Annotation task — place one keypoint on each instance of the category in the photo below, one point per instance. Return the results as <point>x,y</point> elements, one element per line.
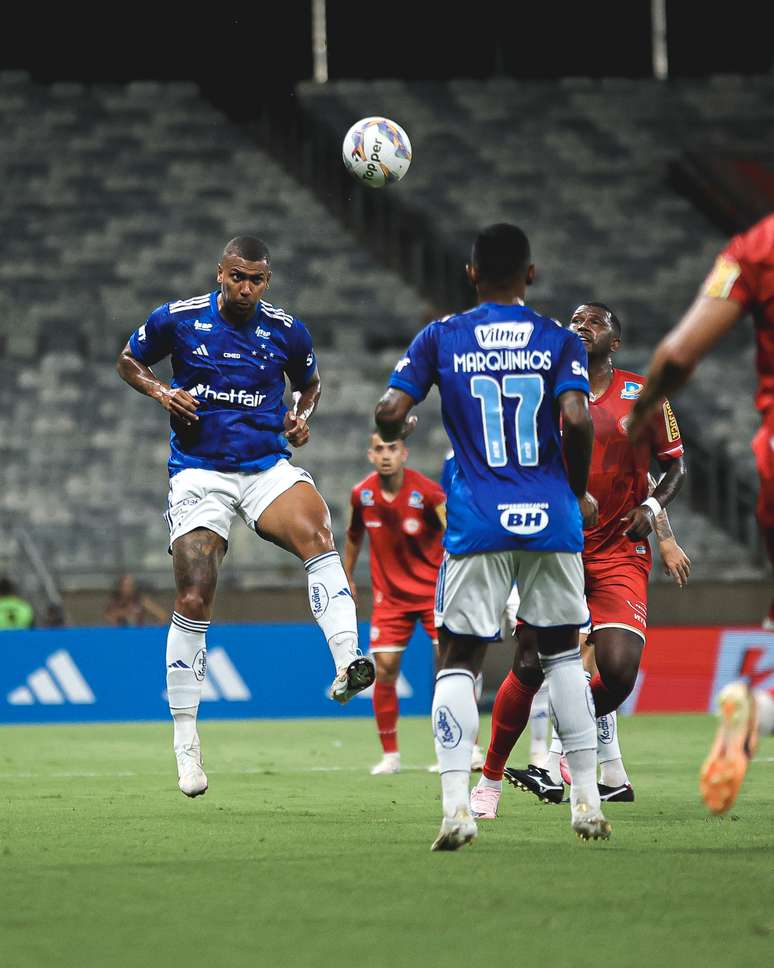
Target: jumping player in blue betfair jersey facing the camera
<point>229,455</point>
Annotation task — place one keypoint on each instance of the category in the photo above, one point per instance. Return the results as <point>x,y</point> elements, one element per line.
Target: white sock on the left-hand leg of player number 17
<point>455,727</point>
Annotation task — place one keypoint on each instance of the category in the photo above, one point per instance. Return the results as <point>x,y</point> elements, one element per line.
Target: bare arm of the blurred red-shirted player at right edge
<point>678,353</point>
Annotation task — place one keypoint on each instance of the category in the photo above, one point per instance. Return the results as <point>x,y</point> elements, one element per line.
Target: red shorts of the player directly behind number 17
<point>617,593</point>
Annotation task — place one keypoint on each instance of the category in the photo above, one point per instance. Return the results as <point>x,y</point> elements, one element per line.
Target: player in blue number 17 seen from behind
<point>517,504</point>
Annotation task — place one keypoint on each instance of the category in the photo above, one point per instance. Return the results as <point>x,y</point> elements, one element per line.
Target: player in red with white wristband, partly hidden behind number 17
<point>616,564</point>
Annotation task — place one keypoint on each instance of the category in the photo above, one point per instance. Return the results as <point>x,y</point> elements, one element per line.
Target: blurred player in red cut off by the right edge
<point>741,281</point>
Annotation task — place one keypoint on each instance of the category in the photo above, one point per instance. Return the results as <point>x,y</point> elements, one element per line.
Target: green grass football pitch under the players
<point>296,856</point>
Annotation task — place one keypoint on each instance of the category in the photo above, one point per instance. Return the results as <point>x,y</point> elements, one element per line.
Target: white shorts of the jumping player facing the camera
<point>211,499</point>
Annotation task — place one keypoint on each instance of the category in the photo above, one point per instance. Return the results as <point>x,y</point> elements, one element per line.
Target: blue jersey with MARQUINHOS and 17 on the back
<point>499,370</point>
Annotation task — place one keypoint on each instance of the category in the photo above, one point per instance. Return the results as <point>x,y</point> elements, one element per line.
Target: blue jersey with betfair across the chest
<point>237,373</point>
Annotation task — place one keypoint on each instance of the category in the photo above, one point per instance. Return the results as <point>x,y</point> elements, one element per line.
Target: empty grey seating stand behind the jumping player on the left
<point>118,199</point>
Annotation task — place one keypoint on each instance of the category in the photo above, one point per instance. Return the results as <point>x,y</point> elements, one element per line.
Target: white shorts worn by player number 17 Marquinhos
<point>472,591</point>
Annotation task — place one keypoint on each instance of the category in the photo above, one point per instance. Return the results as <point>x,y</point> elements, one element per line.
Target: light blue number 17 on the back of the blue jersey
<point>528,388</point>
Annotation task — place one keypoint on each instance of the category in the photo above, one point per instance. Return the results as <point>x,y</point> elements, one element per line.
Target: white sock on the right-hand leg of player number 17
<point>574,721</point>
